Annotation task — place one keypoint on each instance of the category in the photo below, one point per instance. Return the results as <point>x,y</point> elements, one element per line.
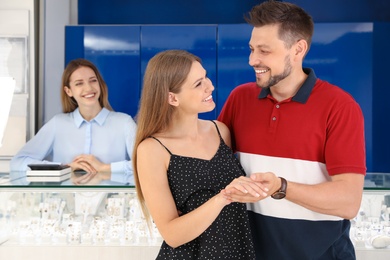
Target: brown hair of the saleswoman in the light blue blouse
<point>69,104</point>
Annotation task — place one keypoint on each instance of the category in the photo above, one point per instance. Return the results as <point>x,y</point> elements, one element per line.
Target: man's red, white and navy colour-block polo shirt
<point>306,139</point>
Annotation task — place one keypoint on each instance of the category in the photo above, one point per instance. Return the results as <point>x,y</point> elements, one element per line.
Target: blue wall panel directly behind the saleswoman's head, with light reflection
<point>115,50</point>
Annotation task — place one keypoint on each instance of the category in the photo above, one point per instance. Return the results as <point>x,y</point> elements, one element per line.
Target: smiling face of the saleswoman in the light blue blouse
<point>84,87</point>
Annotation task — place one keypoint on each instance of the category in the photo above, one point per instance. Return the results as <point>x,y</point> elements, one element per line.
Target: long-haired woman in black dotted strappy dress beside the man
<point>182,165</point>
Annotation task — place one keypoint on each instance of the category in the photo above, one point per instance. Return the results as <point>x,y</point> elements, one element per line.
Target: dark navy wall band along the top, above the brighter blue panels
<point>220,11</point>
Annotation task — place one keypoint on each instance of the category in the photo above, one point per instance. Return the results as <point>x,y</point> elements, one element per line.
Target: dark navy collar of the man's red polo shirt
<point>304,91</point>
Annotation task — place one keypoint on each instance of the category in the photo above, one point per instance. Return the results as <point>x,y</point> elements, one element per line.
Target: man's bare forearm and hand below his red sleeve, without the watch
<point>341,196</point>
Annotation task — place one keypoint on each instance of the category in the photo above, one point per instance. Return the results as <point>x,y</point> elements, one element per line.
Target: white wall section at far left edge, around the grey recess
<point>17,19</point>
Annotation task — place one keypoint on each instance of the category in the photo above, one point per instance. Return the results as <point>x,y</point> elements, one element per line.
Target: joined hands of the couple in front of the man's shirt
<point>254,188</point>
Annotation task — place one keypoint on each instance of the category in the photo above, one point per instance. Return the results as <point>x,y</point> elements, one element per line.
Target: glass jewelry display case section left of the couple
<point>60,220</point>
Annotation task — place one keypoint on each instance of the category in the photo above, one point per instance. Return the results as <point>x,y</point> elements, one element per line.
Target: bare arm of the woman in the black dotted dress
<point>176,230</point>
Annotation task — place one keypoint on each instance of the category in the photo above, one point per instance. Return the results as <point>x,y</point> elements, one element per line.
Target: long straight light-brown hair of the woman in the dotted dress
<point>165,72</point>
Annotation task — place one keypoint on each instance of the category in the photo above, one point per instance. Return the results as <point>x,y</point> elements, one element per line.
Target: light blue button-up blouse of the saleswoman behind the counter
<point>109,137</point>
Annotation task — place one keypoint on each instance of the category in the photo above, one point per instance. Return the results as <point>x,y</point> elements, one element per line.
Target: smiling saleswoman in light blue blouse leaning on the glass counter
<point>88,135</point>
